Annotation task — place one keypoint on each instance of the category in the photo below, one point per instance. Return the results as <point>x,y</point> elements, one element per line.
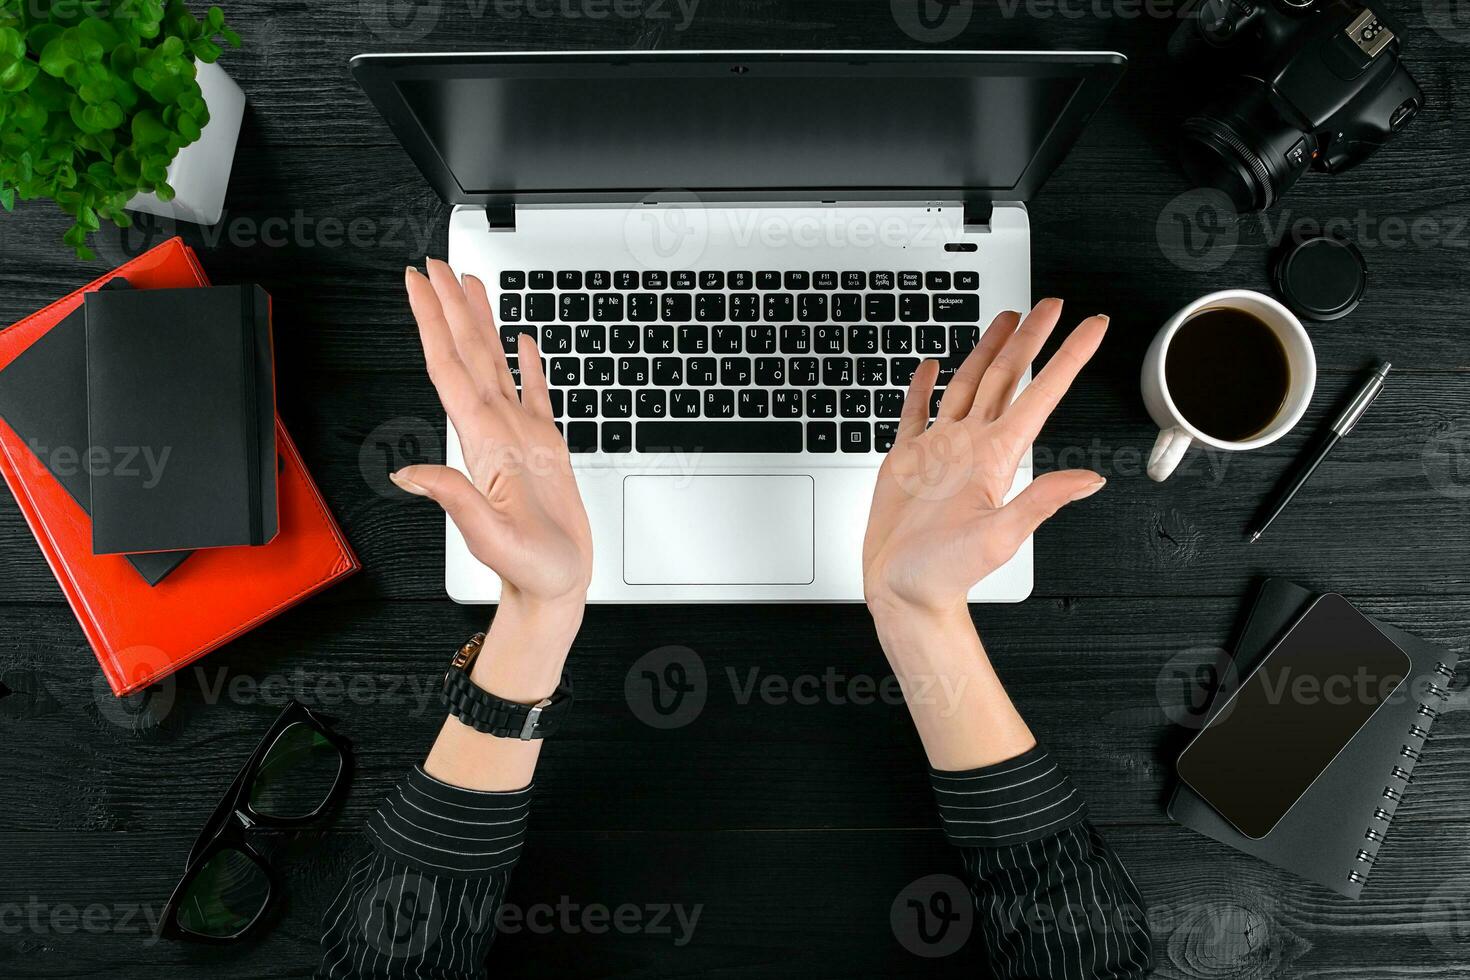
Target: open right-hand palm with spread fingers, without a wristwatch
<point>940,524</point>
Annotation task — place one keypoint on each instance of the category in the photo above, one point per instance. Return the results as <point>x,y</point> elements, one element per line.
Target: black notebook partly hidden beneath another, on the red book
<point>43,397</point>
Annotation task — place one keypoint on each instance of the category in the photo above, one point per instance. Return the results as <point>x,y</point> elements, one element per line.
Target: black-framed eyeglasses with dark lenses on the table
<point>298,772</point>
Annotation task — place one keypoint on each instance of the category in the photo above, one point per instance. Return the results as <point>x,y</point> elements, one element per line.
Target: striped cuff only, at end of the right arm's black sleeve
<point>1021,800</point>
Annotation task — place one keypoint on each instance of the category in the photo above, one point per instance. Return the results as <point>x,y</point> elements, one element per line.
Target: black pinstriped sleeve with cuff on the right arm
<point>1052,898</point>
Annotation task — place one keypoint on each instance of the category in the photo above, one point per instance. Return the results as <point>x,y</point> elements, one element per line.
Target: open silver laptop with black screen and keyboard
<point>734,262</point>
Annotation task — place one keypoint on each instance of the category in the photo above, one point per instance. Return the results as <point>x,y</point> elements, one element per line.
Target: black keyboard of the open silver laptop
<point>737,362</point>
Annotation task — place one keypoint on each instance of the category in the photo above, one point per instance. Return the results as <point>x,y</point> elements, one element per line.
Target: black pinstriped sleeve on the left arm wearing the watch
<point>424,901</point>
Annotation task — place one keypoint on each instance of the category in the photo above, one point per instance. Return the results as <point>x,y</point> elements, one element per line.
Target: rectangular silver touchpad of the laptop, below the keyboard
<point>720,530</point>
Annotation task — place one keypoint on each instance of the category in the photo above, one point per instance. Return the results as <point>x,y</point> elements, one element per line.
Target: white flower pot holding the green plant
<point>201,173</point>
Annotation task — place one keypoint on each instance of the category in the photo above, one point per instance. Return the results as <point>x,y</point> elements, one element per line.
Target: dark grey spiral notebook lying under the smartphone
<point>1335,831</point>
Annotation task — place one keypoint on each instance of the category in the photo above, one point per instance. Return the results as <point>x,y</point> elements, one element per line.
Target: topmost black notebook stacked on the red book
<point>183,380</point>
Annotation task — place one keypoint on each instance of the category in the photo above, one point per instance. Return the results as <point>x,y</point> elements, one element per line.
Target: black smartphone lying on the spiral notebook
<point>1272,738</point>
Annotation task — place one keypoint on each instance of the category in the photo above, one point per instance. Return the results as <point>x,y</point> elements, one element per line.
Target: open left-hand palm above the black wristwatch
<point>520,509</point>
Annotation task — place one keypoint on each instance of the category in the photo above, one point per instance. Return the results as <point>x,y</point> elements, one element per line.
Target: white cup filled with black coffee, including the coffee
<point>1234,371</point>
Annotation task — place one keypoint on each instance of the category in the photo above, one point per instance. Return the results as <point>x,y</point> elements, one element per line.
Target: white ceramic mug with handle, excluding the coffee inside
<point>1177,434</point>
